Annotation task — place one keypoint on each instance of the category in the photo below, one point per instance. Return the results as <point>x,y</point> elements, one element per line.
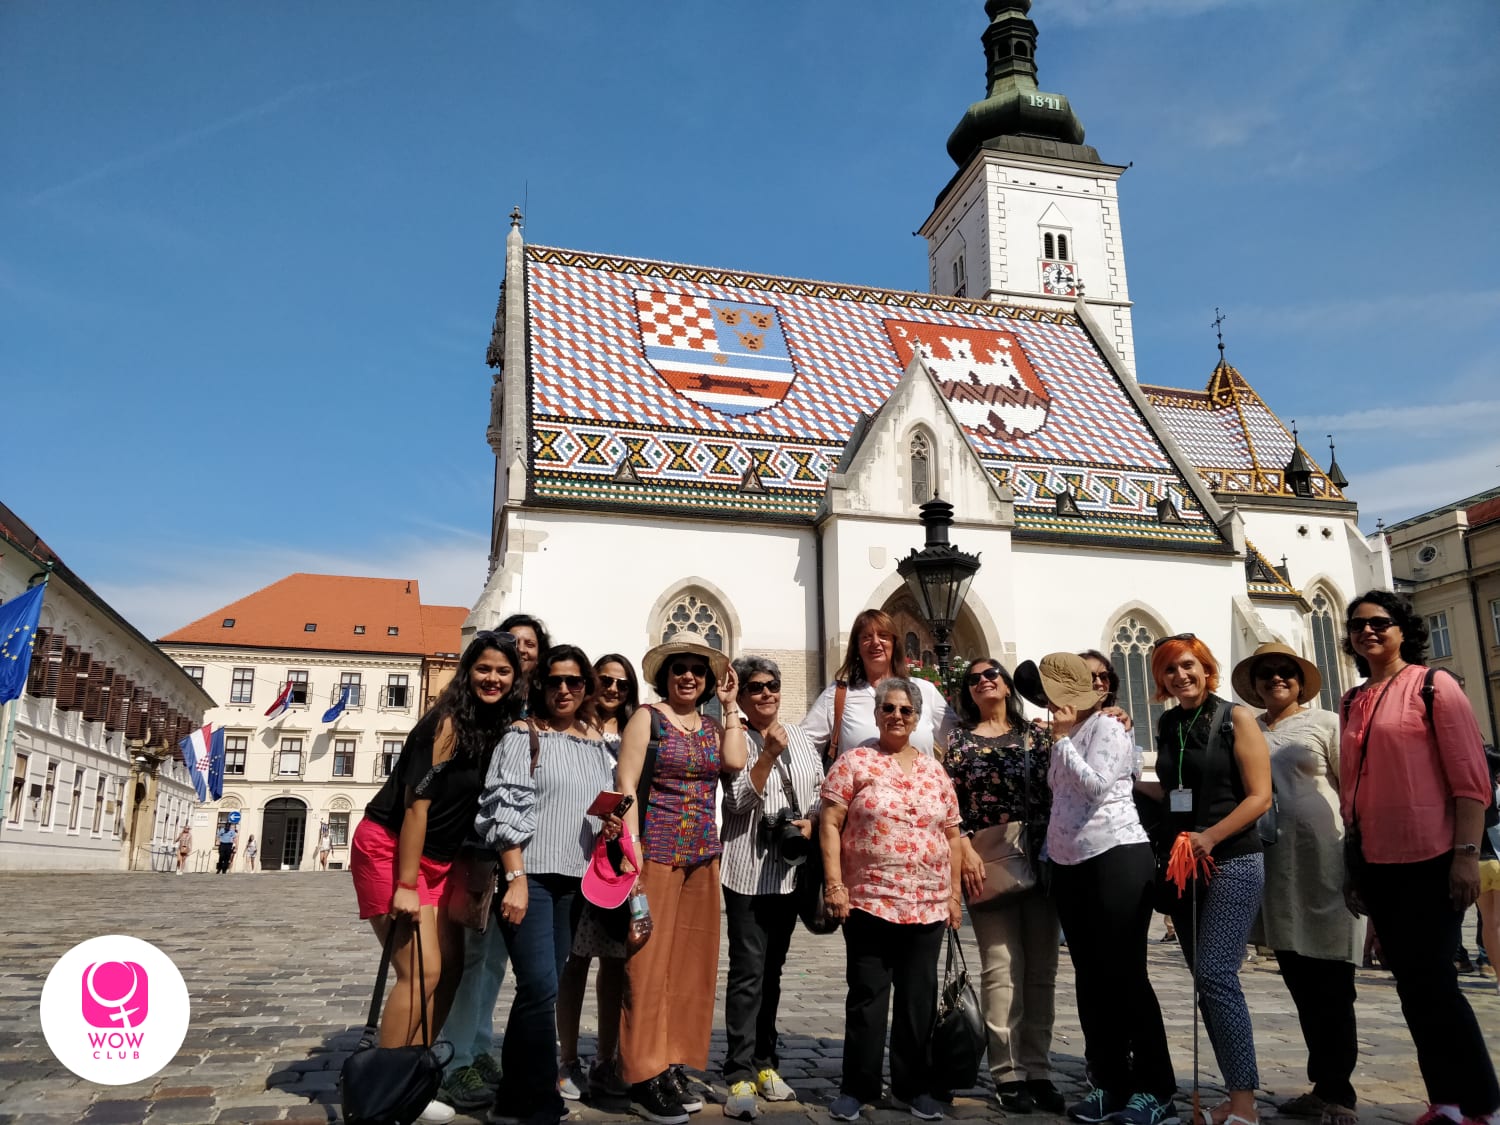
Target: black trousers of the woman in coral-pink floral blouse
<point>881,956</point>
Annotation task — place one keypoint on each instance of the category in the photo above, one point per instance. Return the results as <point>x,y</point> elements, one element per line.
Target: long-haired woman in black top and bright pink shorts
<point>403,851</point>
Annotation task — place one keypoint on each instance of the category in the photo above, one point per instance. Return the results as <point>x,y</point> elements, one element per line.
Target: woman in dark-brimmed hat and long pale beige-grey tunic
<point>1303,910</point>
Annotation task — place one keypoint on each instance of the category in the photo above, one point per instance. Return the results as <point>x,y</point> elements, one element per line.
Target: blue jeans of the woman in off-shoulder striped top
<point>538,950</point>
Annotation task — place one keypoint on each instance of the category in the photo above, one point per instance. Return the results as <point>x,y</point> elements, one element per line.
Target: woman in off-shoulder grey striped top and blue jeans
<point>547,773</point>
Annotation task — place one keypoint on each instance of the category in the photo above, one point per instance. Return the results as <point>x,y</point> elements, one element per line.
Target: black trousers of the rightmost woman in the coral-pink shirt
<point>1418,929</point>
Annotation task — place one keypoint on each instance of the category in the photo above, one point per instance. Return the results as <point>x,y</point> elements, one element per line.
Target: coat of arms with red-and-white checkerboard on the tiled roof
<point>728,356</point>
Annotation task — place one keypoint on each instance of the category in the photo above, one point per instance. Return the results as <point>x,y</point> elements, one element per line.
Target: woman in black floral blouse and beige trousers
<point>998,764</point>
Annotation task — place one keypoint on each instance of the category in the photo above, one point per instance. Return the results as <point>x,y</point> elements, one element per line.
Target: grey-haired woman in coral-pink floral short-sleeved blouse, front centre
<point>890,820</point>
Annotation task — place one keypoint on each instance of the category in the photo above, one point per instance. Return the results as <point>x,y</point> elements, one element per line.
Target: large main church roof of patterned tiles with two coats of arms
<point>673,386</point>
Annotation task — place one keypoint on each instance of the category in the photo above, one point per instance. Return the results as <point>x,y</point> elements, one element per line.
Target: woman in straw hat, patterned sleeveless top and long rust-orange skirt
<point>668,1015</point>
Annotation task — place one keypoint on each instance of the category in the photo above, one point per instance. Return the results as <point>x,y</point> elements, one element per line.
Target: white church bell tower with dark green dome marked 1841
<point>1033,214</point>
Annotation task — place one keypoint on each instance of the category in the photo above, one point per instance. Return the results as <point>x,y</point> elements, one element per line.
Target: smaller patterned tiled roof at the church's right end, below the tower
<point>1235,442</point>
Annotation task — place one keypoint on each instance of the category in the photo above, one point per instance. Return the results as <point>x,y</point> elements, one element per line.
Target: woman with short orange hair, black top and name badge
<point>1216,779</point>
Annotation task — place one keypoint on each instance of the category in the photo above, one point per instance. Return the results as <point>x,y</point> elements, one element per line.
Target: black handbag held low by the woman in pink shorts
<point>392,1085</point>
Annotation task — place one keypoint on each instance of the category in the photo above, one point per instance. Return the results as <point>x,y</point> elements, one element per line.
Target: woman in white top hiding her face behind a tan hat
<point>1103,881</point>
